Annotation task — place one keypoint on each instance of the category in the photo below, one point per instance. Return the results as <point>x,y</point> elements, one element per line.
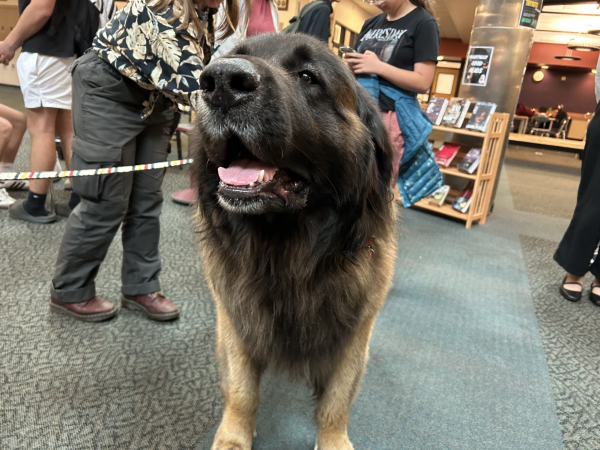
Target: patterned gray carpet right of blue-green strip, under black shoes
<point>570,335</point>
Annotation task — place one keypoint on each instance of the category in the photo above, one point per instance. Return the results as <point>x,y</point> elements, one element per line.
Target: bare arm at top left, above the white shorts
<point>34,17</point>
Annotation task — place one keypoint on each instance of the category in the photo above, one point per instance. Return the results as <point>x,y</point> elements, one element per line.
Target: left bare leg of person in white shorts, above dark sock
<point>42,126</point>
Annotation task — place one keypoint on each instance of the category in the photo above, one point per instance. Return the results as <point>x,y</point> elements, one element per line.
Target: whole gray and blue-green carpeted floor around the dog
<point>473,350</point>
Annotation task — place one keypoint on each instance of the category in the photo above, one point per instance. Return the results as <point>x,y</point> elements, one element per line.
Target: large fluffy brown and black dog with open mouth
<point>297,223</point>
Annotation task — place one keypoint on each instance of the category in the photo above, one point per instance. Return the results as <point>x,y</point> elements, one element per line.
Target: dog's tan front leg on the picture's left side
<point>240,378</point>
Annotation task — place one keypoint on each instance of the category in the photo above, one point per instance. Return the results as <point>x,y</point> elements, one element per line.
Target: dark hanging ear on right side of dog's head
<point>370,114</point>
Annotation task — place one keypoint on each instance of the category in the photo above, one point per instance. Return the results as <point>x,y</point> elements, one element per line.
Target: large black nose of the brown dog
<point>228,83</point>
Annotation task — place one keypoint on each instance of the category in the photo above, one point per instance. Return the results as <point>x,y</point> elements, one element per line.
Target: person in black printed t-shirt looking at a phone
<point>401,47</point>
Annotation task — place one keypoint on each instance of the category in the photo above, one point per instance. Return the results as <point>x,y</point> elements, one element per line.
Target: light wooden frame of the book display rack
<point>483,178</point>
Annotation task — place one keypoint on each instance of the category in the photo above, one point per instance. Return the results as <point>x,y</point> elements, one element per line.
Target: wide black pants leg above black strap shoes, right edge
<point>581,238</point>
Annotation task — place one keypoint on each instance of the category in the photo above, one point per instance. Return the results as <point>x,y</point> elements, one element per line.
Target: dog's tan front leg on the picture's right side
<point>339,391</point>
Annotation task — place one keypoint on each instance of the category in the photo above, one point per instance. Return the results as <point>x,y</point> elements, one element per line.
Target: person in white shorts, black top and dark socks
<point>46,52</point>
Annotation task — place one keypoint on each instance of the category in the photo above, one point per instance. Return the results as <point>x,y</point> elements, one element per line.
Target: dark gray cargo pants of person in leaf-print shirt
<point>110,132</point>
